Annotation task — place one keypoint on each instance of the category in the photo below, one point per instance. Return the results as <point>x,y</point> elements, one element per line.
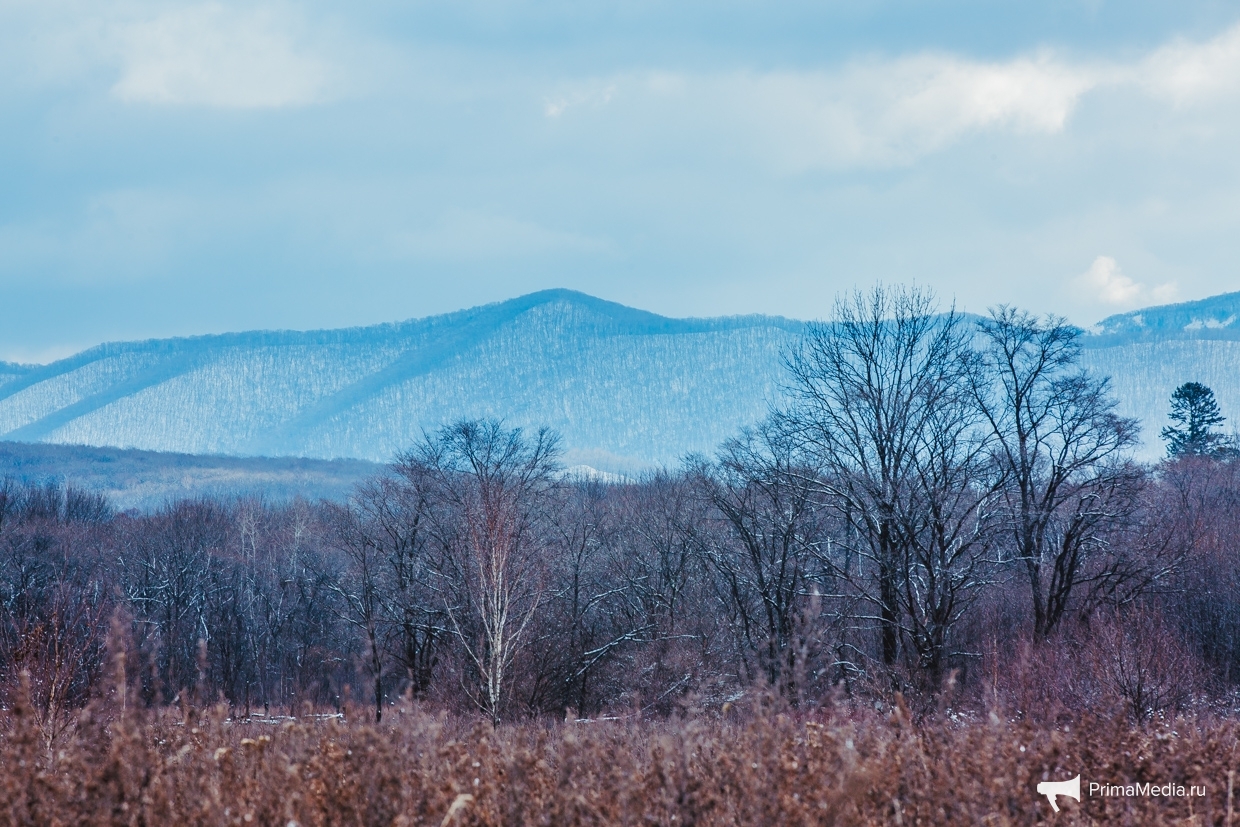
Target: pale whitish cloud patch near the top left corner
<point>214,56</point>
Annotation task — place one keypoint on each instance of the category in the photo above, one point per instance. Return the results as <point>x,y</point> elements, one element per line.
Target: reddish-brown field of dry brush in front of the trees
<point>123,764</point>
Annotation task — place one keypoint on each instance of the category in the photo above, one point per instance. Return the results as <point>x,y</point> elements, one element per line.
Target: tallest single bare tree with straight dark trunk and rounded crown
<point>866,391</point>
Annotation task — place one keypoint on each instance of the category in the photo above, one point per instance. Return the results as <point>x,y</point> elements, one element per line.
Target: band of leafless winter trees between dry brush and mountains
<point>936,498</point>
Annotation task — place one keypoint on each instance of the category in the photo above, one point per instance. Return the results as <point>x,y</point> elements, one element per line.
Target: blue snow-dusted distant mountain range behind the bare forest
<point>626,389</point>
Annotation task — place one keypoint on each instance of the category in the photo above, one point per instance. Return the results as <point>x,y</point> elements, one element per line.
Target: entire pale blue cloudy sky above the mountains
<point>174,169</point>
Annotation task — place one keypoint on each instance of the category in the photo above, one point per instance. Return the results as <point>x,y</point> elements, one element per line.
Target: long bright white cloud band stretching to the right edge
<point>892,112</point>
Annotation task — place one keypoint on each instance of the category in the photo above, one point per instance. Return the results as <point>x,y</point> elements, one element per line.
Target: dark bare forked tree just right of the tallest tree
<point>1062,449</point>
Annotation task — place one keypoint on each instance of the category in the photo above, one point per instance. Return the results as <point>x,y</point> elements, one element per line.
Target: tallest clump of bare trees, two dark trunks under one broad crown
<point>882,400</point>
